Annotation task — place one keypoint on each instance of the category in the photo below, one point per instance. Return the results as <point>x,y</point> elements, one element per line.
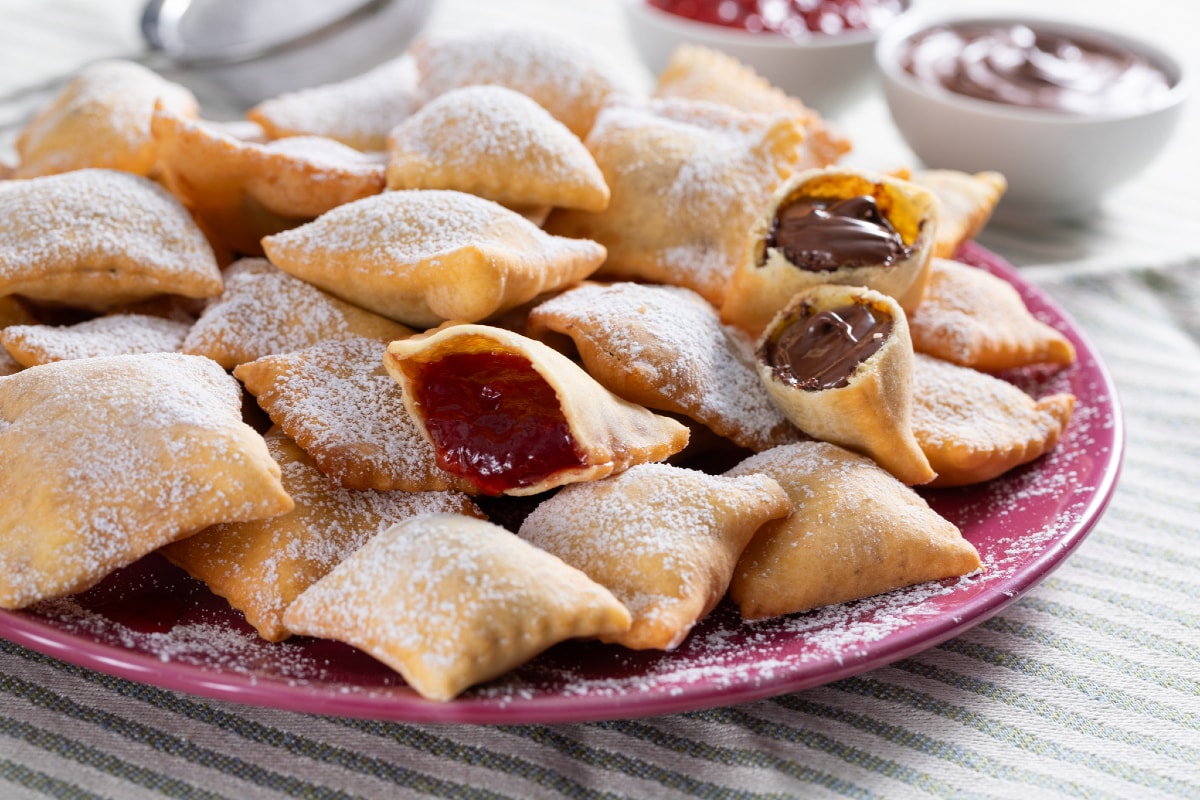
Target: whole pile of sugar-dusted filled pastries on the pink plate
<point>302,353</point>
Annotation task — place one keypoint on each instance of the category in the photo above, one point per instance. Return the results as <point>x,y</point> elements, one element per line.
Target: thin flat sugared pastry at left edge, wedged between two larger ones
<point>111,335</point>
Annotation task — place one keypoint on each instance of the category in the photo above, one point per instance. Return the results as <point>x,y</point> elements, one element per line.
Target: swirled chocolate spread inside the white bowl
<point>1036,68</point>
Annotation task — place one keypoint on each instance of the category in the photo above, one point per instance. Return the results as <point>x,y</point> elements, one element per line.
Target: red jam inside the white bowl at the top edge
<point>795,19</point>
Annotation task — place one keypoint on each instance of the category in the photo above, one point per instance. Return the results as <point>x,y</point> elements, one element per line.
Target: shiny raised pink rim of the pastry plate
<point>401,703</point>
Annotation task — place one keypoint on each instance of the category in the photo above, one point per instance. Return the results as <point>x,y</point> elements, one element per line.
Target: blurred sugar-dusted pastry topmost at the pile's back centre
<point>563,76</point>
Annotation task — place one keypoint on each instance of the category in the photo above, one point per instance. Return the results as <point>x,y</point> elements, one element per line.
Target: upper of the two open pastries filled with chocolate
<point>833,226</point>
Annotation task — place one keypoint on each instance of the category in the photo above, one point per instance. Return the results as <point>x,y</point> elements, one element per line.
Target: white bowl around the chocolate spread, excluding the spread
<point>1058,166</point>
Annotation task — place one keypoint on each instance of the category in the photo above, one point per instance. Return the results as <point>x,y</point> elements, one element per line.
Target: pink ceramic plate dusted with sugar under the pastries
<point>153,624</point>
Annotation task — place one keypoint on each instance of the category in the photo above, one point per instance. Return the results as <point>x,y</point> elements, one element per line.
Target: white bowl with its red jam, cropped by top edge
<point>819,51</point>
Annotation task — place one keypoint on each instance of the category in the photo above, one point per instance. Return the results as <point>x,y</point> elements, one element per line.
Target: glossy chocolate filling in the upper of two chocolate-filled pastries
<point>825,234</point>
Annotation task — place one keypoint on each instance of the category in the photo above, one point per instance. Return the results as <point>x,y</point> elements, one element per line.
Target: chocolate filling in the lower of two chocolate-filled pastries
<point>823,350</point>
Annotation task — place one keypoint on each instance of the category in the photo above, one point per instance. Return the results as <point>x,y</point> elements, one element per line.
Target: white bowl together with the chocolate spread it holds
<point>1066,112</point>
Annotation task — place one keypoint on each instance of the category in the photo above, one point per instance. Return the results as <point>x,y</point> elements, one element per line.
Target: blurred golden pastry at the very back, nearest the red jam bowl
<point>699,73</point>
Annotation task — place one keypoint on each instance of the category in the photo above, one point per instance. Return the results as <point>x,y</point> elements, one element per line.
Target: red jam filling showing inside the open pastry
<point>495,422</point>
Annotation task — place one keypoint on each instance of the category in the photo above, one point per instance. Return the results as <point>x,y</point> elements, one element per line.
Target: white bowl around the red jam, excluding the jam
<point>829,74</point>
